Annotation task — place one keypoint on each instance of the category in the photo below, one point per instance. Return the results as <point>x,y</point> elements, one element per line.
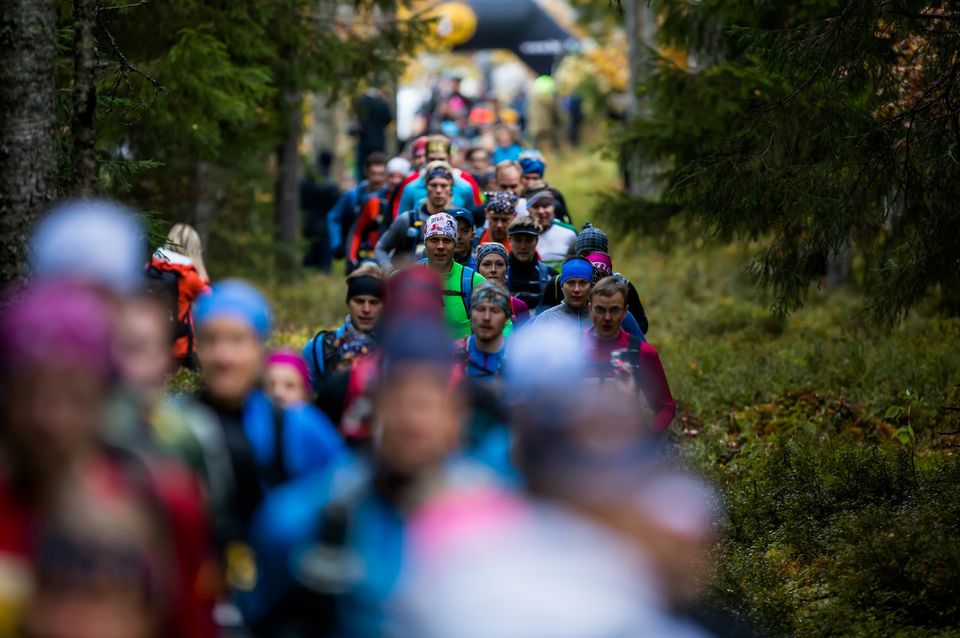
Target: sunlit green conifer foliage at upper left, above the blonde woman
<point>194,98</point>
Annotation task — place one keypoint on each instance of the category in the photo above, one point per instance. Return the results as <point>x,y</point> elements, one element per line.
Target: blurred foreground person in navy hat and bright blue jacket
<point>330,547</point>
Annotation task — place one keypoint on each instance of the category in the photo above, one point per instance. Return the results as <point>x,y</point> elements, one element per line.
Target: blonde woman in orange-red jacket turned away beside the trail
<point>177,274</point>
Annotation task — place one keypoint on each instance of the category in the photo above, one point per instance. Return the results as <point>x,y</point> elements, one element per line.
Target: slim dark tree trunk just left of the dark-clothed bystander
<point>287,199</point>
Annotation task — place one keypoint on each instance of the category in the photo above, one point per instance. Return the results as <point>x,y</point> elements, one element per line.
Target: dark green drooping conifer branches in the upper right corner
<point>813,125</point>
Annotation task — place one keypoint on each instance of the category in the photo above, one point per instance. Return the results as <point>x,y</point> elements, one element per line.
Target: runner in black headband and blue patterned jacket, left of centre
<point>331,350</point>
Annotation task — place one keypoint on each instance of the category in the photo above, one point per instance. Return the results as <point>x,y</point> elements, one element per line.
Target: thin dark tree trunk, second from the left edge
<point>82,129</point>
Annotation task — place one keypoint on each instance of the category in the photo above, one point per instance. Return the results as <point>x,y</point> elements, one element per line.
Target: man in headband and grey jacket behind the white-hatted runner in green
<point>402,243</point>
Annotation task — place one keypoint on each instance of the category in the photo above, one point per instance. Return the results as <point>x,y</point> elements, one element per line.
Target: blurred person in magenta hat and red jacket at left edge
<point>56,379</point>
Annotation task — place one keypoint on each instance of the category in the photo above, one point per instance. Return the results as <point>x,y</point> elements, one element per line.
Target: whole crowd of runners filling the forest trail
<point>478,449</point>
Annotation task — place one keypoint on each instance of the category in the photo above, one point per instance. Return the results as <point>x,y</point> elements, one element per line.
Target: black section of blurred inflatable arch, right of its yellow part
<point>522,27</point>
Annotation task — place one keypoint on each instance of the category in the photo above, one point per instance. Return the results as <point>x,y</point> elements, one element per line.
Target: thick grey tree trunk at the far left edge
<point>28,146</point>
